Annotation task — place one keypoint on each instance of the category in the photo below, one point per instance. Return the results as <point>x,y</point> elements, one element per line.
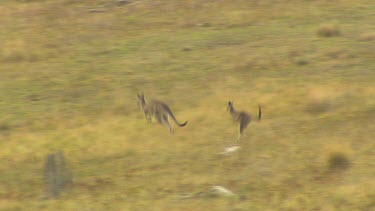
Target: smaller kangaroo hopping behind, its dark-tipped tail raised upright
<point>241,117</point>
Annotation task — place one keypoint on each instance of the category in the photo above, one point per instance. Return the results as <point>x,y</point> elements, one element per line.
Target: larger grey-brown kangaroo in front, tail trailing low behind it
<point>159,110</point>
